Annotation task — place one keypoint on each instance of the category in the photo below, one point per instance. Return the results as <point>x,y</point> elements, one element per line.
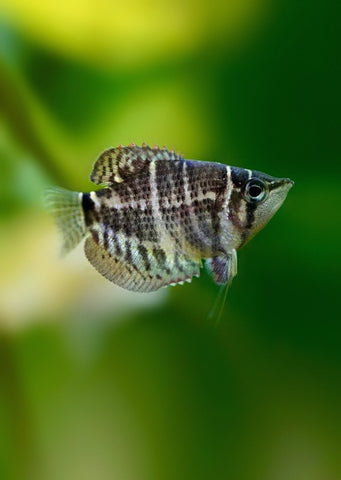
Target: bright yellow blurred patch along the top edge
<point>126,33</point>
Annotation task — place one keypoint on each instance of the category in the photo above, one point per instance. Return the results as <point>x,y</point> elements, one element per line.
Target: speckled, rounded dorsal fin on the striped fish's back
<point>116,164</point>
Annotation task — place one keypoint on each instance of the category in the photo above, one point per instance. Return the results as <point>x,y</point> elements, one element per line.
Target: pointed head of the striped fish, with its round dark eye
<point>258,196</point>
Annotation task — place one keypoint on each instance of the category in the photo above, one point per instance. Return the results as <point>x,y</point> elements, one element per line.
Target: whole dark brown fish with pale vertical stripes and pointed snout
<point>157,216</point>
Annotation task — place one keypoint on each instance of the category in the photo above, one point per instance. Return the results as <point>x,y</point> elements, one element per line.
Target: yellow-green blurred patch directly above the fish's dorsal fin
<point>152,113</point>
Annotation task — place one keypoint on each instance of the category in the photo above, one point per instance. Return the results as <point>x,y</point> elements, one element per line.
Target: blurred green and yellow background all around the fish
<point>99,383</point>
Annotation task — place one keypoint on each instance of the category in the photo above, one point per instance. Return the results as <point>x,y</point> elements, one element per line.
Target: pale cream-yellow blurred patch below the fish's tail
<point>38,285</point>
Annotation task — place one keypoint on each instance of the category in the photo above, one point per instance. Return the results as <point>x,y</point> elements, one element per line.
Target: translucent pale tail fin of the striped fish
<point>66,207</point>
